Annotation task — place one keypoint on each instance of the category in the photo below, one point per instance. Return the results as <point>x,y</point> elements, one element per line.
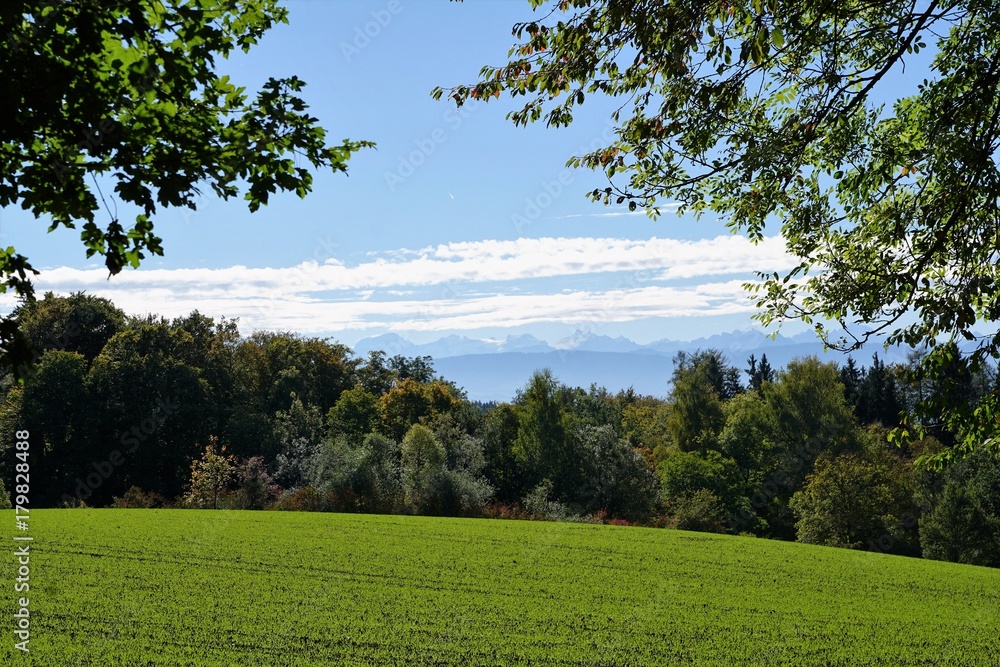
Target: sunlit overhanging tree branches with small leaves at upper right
<point>768,113</point>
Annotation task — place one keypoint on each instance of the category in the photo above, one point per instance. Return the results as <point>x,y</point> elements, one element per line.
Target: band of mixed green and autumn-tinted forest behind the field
<point>143,411</point>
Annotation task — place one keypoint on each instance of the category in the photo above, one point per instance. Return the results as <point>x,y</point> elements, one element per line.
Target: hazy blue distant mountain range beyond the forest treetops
<point>493,370</point>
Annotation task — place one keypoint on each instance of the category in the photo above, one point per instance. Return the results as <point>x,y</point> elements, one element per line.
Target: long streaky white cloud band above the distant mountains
<point>454,286</point>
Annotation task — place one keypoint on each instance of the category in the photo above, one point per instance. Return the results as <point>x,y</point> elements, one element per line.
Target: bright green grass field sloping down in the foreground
<point>200,588</point>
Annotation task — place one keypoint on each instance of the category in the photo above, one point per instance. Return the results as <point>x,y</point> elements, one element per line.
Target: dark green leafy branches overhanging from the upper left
<point>124,98</point>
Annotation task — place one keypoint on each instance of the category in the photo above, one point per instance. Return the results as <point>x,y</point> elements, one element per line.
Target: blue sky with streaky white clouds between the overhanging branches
<point>458,222</point>
